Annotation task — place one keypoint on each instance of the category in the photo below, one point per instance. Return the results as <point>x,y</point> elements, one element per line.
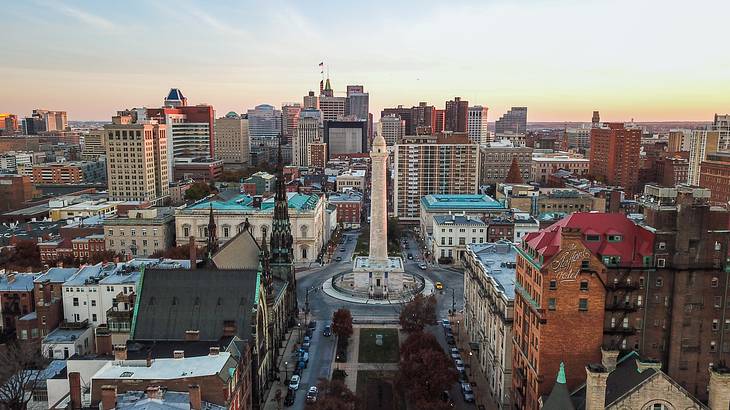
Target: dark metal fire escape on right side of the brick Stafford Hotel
<point>620,304</point>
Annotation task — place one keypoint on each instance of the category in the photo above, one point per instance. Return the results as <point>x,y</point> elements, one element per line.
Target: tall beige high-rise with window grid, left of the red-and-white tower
<point>137,161</point>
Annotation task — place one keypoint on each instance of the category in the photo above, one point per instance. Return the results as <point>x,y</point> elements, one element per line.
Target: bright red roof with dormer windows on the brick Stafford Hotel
<point>636,242</point>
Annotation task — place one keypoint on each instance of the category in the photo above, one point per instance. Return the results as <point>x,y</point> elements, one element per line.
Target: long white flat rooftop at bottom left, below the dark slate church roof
<point>165,369</point>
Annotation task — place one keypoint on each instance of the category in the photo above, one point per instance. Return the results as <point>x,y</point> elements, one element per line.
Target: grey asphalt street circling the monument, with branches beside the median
<point>321,306</point>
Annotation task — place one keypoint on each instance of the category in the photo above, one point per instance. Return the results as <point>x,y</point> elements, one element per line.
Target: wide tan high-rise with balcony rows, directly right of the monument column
<point>443,164</point>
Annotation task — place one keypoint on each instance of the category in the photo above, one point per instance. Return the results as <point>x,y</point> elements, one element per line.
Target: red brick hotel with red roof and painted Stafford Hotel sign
<point>571,282</point>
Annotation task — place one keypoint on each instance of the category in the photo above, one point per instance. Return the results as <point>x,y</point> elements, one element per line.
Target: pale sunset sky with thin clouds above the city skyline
<point>650,60</point>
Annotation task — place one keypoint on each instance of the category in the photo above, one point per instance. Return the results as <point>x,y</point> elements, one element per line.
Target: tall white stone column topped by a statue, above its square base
<point>378,203</point>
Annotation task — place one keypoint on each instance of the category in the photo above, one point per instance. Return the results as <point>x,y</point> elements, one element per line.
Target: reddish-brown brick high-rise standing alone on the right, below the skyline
<point>615,155</point>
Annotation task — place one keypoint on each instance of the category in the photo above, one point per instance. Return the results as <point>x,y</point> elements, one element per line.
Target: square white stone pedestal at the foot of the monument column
<point>380,279</point>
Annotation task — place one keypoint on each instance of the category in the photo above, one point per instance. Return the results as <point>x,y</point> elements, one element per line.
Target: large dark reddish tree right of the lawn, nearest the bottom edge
<point>425,371</point>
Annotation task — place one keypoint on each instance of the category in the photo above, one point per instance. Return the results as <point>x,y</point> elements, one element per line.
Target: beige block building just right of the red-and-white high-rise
<point>232,140</point>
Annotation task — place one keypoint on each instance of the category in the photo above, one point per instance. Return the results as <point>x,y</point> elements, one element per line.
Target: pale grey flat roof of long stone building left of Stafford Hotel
<point>497,261</point>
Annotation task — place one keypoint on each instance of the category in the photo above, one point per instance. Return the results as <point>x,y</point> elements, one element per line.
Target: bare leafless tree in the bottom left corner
<point>21,369</point>
